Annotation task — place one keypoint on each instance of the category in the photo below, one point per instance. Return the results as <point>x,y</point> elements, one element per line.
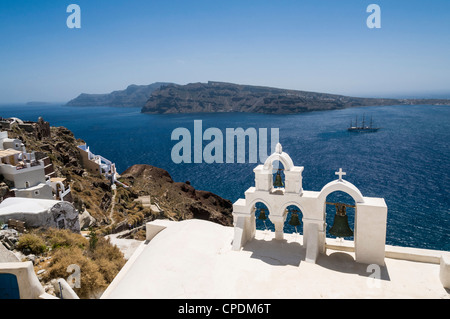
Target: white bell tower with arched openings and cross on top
<point>370,220</point>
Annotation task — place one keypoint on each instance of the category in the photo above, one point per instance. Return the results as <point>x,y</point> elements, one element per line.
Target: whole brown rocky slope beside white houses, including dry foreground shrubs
<point>111,210</point>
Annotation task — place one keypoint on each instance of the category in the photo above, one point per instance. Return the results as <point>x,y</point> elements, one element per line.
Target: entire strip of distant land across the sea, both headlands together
<point>161,98</point>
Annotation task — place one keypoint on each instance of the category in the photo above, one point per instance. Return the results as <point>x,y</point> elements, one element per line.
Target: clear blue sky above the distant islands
<point>313,45</point>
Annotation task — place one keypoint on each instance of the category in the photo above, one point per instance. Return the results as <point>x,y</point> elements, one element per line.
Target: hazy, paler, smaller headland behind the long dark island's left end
<point>132,96</point>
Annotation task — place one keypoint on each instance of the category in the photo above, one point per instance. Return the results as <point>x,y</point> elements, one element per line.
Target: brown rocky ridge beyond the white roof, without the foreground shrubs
<point>116,210</point>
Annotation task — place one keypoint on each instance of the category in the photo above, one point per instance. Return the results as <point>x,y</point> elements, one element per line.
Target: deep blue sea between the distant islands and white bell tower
<point>407,162</point>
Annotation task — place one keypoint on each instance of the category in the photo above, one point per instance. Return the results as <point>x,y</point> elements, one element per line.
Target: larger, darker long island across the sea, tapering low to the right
<point>228,97</point>
